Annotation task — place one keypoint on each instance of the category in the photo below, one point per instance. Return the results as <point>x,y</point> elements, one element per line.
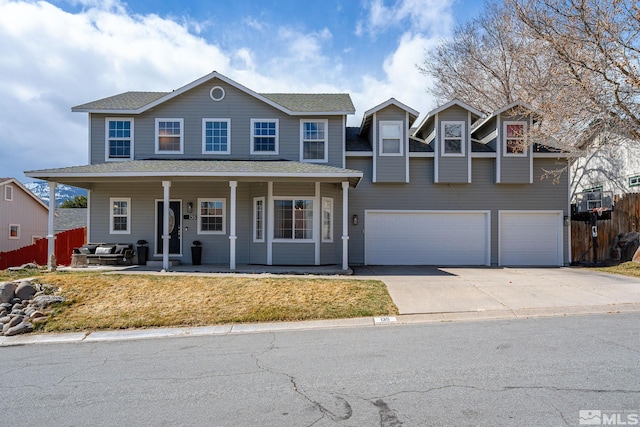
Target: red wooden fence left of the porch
<point>37,253</point>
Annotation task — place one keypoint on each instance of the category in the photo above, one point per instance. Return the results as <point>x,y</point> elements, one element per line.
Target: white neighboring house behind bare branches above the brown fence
<point>609,166</point>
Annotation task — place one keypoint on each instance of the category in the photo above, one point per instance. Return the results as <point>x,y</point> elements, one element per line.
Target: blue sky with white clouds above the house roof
<point>62,53</point>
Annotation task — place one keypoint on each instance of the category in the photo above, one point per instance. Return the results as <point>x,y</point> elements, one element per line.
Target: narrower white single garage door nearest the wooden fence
<point>530,238</point>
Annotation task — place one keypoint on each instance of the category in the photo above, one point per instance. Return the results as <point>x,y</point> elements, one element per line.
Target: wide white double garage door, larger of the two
<point>427,238</point>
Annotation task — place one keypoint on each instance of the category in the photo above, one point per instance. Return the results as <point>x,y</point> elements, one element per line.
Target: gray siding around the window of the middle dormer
<point>453,169</point>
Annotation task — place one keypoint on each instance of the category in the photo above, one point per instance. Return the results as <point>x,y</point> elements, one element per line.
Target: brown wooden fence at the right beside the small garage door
<point>625,218</point>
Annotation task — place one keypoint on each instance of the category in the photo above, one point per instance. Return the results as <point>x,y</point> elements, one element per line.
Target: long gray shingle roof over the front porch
<point>201,168</point>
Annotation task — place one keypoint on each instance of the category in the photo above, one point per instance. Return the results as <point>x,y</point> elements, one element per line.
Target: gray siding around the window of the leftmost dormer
<point>391,168</point>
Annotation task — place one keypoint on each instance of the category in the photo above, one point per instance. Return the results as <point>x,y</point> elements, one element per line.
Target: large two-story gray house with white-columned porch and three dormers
<point>278,179</point>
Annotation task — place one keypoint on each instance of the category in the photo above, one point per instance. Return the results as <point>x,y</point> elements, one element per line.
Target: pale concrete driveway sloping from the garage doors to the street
<point>521,291</point>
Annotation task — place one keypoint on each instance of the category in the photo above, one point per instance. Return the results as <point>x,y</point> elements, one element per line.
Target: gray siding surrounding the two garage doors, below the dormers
<point>482,194</point>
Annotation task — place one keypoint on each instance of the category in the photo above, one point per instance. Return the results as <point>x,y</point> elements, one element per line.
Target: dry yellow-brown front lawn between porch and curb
<point>100,301</point>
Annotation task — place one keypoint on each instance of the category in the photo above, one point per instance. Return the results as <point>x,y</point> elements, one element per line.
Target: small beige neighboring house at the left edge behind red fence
<point>23,216</point>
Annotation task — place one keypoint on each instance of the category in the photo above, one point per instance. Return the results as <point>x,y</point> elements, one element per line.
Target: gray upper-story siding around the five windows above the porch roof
<point>238,106</point>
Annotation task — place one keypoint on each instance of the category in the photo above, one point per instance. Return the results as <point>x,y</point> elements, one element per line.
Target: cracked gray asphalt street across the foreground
<point>521,372</point>
